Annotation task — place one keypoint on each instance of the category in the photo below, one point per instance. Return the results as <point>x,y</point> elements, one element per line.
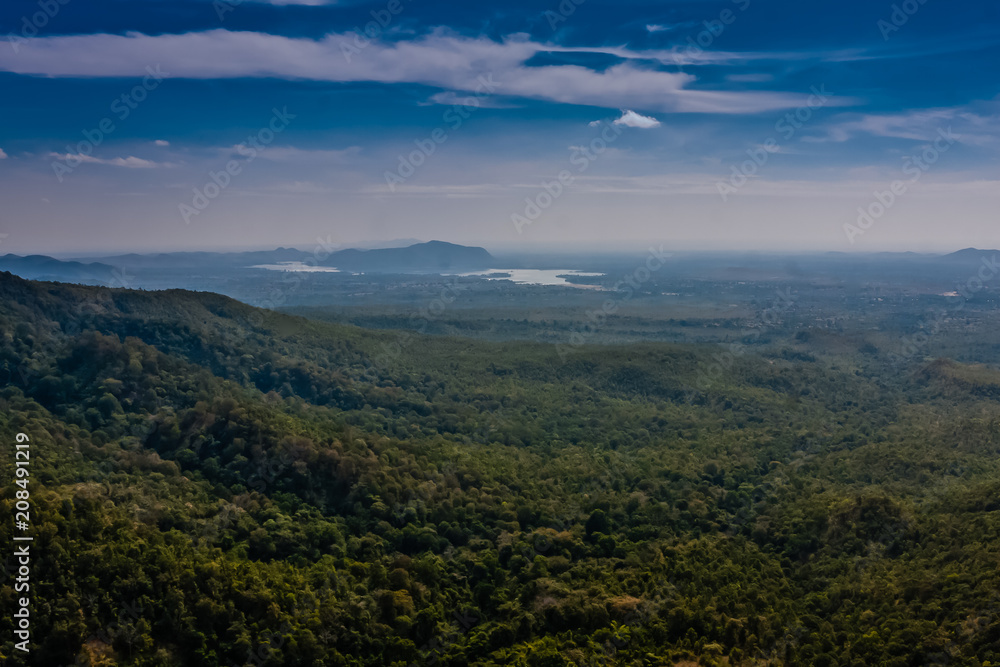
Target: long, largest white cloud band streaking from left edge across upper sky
<point>440,59</point>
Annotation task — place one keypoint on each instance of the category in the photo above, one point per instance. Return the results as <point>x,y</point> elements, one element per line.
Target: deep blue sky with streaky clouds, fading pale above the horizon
<point>829,125</point>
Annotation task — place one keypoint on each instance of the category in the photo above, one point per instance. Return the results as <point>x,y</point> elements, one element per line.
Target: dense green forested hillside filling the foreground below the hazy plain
<point>214,484</point>
